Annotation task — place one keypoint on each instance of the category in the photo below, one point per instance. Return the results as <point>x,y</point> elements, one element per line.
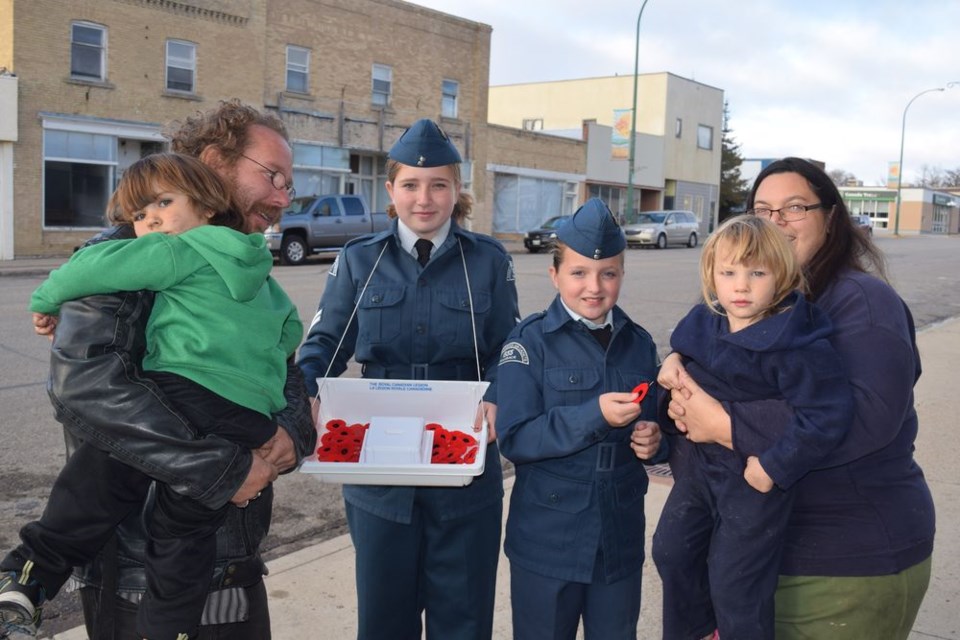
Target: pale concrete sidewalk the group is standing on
<point>312,591</point>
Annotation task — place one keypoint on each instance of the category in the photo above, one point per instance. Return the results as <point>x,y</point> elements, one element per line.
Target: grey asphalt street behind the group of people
<point>660,287</point>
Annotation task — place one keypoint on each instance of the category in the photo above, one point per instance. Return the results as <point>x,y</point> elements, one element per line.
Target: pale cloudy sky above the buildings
<point>824,79</point>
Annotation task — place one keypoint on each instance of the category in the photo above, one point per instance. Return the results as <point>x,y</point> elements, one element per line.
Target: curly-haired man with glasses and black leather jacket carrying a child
<point>98,392</point>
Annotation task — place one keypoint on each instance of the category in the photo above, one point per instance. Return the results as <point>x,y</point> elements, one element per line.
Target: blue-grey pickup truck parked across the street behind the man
<point>315,224</point>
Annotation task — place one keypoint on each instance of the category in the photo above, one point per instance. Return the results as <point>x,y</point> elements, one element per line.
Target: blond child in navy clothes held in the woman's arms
<point>754,337</point>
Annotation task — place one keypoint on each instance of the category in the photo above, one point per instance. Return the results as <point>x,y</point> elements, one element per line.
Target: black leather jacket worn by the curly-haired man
<point>100,397</point>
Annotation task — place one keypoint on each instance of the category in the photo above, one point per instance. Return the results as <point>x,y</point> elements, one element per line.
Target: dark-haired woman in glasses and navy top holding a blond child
<point>856,562</point>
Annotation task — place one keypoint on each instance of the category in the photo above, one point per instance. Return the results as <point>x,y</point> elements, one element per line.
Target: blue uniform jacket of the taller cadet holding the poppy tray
<point>414,323</point>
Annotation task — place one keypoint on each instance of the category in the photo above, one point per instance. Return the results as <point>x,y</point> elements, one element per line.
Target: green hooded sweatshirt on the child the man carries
<point>219,319</point>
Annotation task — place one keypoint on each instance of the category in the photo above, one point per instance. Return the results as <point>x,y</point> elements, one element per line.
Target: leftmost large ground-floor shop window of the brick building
<point>78,177</point>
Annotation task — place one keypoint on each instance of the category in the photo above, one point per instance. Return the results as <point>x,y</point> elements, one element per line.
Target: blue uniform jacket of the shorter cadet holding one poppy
<point>579,487</point>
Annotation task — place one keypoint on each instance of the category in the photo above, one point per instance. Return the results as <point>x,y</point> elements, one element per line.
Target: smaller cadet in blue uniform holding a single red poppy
<point>574,429</point>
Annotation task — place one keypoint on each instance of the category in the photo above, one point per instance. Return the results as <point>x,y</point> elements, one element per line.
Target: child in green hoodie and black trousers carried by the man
<point>218,340</point>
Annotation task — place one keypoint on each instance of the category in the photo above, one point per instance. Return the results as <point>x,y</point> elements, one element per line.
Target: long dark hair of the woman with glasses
<point>845,246</point>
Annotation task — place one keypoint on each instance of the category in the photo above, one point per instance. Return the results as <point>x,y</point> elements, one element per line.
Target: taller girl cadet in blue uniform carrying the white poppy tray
<point>437,303</point>
